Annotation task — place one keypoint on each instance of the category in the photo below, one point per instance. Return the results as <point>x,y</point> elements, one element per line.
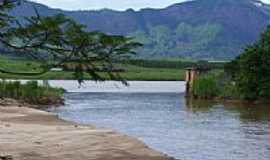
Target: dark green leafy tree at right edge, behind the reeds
<point>251,70</point>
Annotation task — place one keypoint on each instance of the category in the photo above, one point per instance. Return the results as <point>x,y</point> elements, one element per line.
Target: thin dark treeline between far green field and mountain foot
<point>177,64</point>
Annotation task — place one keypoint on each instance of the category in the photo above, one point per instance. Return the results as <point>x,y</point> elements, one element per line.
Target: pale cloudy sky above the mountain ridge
<point>111,4</point>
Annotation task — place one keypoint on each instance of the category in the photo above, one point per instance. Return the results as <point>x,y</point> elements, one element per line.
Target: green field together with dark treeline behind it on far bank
<point>164,69</point>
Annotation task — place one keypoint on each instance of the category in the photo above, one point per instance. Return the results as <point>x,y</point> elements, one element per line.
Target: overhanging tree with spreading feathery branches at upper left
<point>63,41</point>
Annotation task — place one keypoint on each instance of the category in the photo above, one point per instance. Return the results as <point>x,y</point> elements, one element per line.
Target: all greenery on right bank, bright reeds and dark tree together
<point>247,77</point>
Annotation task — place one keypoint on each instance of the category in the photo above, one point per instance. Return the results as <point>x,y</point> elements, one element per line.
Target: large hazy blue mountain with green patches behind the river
<point>203,29</point>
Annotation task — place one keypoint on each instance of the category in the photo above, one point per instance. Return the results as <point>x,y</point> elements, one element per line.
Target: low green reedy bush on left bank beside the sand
<point>31,93</point>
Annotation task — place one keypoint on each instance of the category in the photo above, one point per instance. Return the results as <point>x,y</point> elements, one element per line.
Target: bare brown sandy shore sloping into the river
<point>30,134</point>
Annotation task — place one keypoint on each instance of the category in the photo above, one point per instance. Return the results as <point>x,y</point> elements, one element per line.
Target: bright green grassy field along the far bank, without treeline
<point>133,72</point>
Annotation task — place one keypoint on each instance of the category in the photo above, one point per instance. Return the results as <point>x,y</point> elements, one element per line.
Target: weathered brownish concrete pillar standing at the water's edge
<point>191,74</point>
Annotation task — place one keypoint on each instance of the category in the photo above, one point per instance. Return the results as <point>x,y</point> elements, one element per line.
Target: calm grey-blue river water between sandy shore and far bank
<point>158,114</point>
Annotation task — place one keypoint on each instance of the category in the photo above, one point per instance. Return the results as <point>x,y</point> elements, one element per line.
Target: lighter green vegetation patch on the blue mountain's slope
<point>186,40</point>
